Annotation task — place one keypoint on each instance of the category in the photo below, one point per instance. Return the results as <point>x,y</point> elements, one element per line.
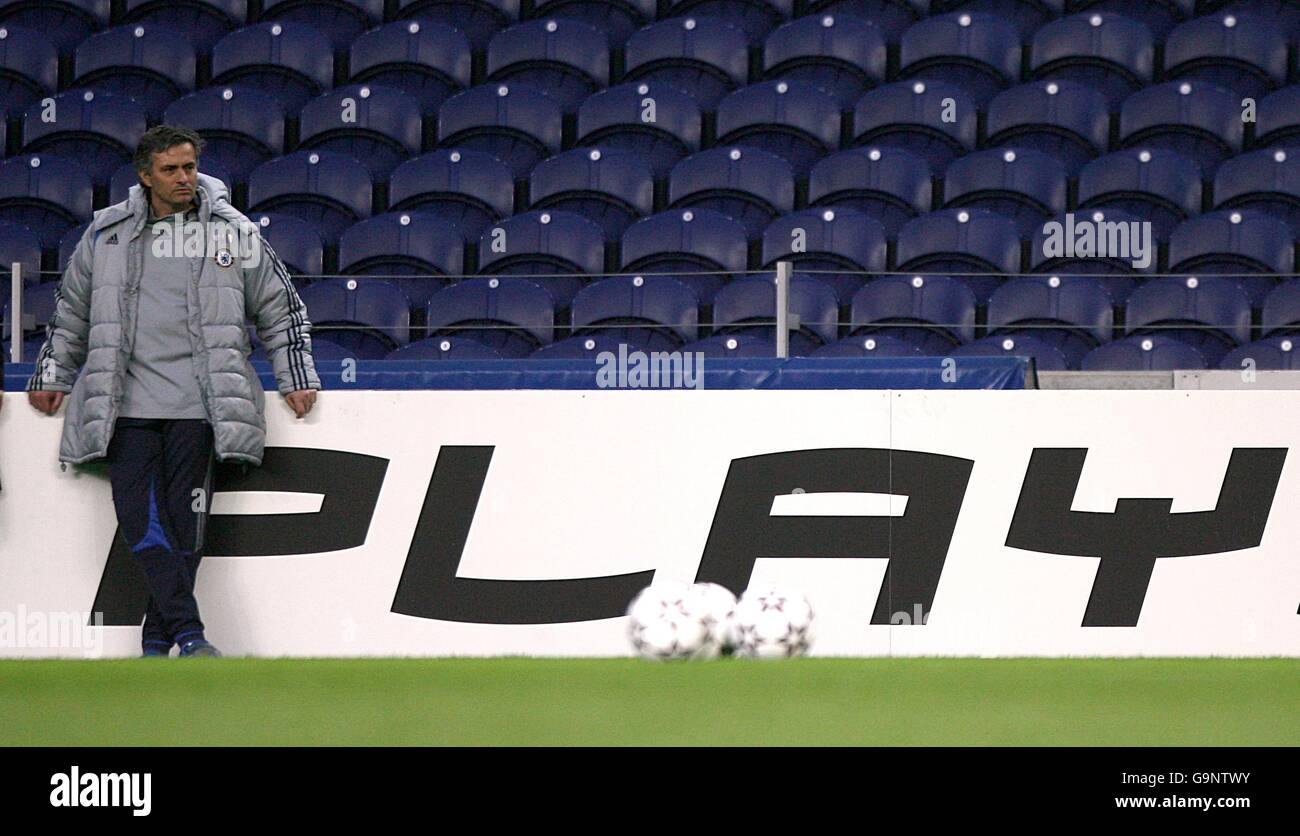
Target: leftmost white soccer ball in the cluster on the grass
<point>665,622</point>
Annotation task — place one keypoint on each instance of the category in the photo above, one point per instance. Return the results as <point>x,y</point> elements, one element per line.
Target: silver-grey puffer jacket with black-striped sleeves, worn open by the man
<point>96,315</point>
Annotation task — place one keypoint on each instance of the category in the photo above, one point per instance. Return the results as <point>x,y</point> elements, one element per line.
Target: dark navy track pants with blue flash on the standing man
<point>162,475</point>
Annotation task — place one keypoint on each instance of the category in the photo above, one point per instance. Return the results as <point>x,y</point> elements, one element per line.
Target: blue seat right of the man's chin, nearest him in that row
<point>327,189</point>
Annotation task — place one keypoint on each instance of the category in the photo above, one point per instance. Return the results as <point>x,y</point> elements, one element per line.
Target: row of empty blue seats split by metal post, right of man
<point>934,314</point>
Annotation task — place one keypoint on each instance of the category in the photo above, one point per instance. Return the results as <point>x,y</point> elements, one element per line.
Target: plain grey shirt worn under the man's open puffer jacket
<point>161,378</point>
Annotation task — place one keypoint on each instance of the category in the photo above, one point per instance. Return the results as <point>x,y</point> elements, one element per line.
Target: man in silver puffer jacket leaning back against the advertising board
<point>154,304</point>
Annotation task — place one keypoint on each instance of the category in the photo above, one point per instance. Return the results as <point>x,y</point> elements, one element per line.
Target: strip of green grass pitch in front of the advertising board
<point>515,701</point>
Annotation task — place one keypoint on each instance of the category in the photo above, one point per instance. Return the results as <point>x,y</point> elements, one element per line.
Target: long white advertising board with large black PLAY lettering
<point>488,523</point>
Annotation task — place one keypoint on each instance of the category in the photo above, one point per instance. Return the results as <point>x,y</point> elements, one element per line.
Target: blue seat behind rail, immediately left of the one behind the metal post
<point>655,313</point>
